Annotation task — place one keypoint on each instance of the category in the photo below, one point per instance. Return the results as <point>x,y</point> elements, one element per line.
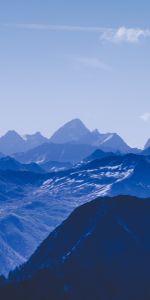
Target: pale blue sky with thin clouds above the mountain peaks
<point>63,59</point>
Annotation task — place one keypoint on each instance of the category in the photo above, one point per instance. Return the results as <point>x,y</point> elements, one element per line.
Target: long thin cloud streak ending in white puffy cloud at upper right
<point>115,35</point>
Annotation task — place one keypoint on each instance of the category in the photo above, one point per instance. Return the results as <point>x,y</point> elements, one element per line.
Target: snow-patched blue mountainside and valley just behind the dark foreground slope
<point>33,204</point>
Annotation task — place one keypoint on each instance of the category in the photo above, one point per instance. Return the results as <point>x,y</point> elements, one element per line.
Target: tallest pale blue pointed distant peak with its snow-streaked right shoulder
<point>76,132</point>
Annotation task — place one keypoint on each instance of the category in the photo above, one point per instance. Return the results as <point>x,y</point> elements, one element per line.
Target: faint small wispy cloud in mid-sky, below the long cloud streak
<point>92,62</point>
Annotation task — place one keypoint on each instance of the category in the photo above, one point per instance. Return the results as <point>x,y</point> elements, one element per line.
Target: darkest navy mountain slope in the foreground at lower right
<point>102,251</point>
